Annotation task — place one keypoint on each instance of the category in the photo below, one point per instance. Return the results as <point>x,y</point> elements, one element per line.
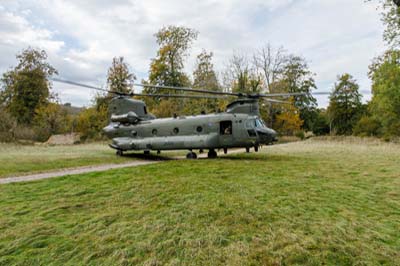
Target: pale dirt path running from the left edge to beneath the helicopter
<point>93,168</point>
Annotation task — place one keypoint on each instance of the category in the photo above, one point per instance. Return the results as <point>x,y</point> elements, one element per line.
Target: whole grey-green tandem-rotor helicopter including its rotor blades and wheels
<point>132,128</point>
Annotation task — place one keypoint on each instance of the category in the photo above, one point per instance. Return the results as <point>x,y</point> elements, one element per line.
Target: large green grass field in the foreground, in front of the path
<point>313,203</point>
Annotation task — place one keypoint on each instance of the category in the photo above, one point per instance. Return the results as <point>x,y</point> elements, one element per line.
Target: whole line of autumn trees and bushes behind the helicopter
<point>30,110</point>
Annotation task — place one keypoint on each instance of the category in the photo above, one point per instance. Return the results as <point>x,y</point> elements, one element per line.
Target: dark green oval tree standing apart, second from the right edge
<point>345,105</point>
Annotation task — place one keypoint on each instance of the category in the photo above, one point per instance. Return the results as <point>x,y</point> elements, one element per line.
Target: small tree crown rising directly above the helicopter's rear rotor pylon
<point>119,78</point>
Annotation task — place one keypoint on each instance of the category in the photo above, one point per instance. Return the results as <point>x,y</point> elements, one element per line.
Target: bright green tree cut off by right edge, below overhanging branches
<point>385,103</point>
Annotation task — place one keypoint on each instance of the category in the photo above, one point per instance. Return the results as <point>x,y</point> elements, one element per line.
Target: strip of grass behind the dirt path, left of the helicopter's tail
<point>23,159</point>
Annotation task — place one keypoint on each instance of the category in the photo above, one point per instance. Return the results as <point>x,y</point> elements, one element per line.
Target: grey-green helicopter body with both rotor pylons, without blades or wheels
<point>239,126</point>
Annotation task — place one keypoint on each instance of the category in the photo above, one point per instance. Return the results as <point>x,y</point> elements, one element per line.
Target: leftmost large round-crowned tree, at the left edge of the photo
<point>25,88</point>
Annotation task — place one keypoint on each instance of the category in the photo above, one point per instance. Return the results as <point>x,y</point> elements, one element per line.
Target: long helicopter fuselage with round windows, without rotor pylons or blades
<point>213,131</point>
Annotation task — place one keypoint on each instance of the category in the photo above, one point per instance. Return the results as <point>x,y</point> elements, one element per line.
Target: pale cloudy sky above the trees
<point>82,37</point>
